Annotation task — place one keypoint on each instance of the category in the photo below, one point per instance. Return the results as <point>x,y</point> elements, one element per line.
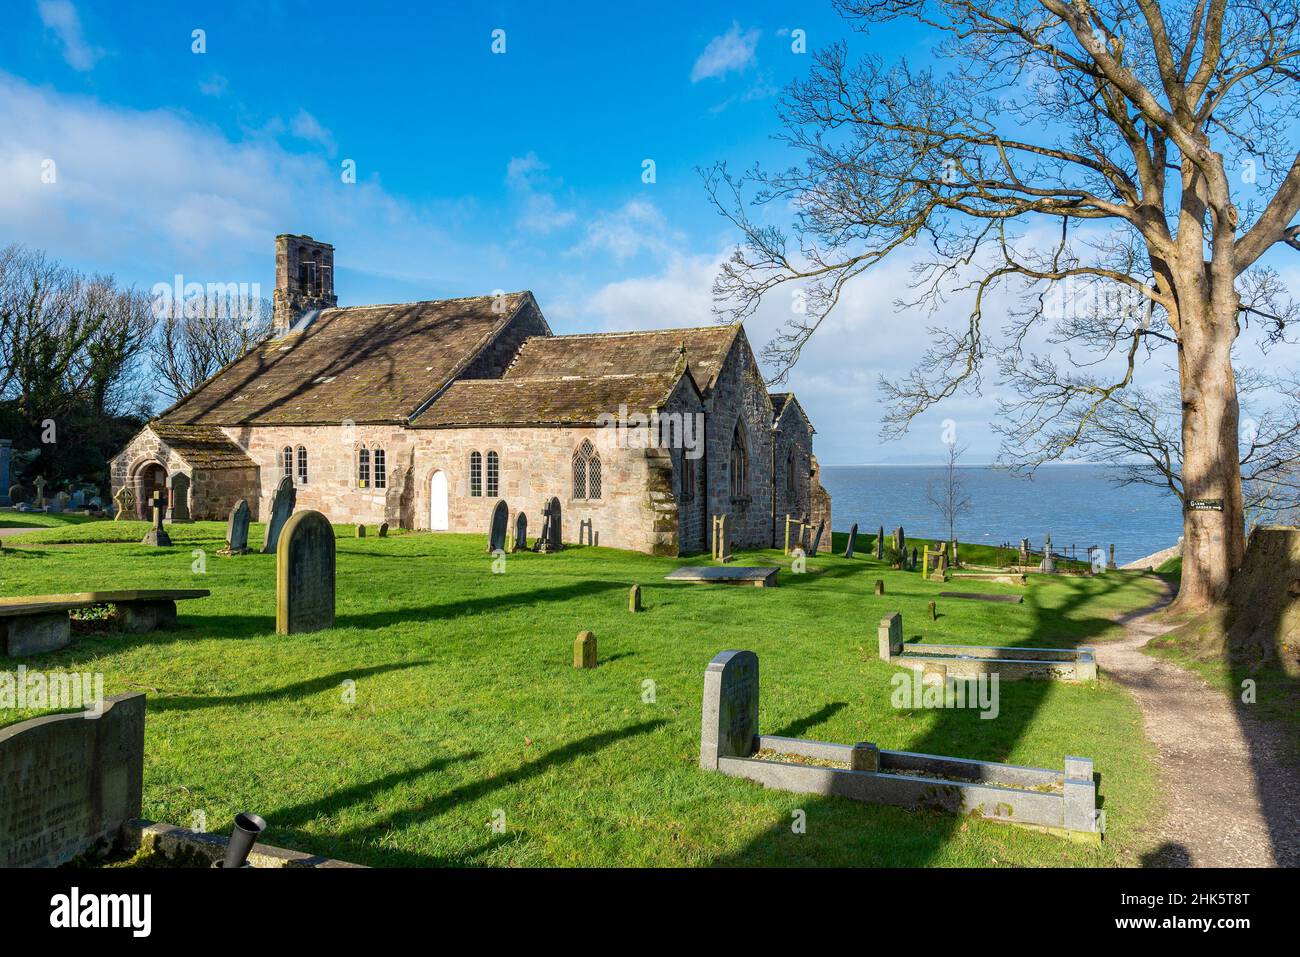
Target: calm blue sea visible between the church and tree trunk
<point>1081,505</point>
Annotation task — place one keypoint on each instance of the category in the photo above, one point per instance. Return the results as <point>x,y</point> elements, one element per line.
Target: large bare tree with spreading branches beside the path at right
<point>1139,129</point>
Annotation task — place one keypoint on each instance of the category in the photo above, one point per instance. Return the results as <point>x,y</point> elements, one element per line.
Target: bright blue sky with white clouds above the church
<point>475,171</point>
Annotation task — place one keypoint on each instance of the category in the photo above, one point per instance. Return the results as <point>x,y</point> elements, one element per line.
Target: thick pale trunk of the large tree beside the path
<point>1214,517</point>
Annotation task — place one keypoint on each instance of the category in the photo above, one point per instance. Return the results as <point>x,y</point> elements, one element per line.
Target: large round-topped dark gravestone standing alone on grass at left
<point>305,575</point>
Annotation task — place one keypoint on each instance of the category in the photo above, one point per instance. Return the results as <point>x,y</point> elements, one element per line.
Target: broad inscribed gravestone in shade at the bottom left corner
<point>68,785</point>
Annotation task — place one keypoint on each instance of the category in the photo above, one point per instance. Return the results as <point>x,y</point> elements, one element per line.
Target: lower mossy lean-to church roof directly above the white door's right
<point>547,400</point>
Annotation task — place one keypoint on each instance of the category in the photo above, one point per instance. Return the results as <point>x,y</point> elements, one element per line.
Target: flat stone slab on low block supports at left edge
<point>38,623</point>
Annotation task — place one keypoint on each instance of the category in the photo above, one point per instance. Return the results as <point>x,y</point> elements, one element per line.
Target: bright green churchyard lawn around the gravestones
<point>467,705</point>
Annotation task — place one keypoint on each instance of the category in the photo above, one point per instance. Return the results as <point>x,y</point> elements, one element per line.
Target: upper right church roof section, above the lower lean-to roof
<point>649,353</point>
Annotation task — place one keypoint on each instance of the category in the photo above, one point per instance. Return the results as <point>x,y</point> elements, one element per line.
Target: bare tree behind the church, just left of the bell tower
<point>202,335</point>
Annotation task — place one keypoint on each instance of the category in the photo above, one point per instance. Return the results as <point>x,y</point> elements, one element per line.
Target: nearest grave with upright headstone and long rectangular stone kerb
<point>1063,803</point>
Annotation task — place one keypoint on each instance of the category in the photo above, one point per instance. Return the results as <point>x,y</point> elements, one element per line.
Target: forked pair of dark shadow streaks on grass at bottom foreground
<point>362,843</point>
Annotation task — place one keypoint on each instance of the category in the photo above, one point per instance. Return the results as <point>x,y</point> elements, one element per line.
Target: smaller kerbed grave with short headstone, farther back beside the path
<point>969,661</point>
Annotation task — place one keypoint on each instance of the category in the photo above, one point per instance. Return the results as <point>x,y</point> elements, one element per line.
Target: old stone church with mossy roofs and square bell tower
<point>424,415</point>
